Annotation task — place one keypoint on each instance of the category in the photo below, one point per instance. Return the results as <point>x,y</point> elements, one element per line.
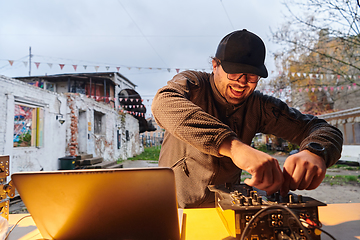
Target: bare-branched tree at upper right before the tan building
<point>320,53</point>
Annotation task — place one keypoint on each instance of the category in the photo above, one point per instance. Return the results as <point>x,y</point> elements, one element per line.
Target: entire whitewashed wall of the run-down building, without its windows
<point>57,137</point>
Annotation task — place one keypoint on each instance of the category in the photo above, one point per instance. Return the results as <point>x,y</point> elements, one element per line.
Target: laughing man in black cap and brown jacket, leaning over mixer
<point>210,120</point>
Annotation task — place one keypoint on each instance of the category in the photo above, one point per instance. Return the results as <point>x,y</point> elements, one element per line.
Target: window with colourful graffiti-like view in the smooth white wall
<point>28,126</point>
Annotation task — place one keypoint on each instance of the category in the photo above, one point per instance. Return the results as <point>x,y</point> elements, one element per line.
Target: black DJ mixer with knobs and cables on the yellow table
<point>249,214</point>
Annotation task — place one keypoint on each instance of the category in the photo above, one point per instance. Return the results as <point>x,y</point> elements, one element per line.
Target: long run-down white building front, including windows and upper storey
<point>38,124</point>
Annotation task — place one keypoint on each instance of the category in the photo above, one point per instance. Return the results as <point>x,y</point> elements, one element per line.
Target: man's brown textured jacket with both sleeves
<point>197,119</point>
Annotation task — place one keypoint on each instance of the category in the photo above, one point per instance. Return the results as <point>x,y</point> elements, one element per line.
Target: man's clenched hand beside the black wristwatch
<point>303,170</point>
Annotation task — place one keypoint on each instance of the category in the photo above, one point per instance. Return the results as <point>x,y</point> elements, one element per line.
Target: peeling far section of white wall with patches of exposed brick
<point>103,144</point>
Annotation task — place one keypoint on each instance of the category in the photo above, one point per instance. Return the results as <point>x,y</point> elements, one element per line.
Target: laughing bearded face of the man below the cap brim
<point>234,92</point>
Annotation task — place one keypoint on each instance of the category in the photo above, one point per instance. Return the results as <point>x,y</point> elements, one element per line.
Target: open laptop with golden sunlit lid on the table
<point>102,203</point>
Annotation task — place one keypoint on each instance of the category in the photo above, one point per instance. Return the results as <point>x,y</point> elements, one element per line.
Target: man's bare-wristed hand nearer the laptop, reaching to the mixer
<point>265,170</point>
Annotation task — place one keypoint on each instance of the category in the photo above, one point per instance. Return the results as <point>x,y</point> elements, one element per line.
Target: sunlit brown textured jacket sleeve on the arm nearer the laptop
<point>174,111</point>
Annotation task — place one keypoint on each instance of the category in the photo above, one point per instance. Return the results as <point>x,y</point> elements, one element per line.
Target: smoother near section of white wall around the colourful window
<point>31,158</point>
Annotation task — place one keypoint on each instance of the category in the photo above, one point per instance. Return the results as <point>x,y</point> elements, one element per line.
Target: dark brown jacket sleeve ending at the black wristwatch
<point>302,129</point>
